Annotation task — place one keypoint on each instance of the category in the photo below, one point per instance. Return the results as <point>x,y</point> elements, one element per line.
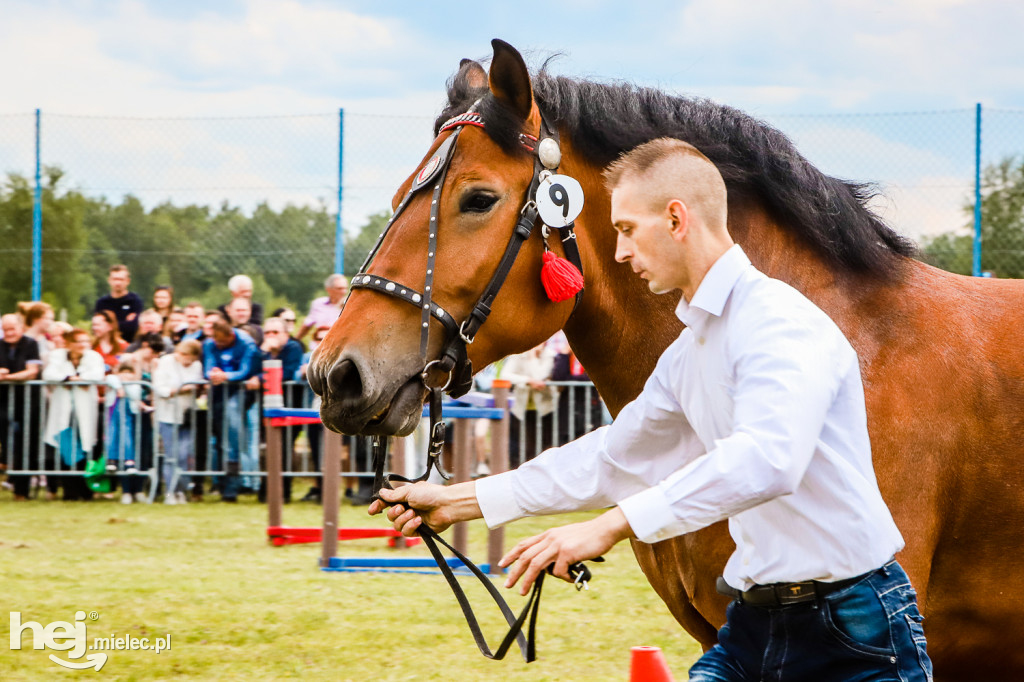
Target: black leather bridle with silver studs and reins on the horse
<point>454,360</point>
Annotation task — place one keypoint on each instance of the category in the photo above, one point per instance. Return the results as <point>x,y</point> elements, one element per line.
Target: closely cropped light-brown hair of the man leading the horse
<point>673,169</point>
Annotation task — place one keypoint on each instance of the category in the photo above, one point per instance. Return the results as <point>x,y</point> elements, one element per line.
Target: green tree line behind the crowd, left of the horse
<point>288,252</point>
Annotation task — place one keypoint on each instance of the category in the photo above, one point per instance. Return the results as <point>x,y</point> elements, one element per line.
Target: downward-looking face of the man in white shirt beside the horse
<point>645,239</point>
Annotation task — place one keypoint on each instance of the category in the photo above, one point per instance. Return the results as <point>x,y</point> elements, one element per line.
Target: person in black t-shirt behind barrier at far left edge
<point>19,363</point>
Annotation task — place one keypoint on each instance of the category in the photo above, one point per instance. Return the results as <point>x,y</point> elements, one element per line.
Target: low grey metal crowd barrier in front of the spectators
<point>220,438</point>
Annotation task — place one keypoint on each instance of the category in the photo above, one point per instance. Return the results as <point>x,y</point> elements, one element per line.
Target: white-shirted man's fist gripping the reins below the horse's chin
<point>438,506</point>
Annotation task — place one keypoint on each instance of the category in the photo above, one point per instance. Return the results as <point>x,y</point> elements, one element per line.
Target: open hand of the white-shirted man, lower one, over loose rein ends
<point>565,546</point>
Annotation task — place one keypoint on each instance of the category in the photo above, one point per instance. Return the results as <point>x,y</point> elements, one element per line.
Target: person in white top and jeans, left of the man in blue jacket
<point>176,385</point>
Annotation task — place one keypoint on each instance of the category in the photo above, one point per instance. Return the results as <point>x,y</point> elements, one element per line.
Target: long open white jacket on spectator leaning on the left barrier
<point>83,400</point>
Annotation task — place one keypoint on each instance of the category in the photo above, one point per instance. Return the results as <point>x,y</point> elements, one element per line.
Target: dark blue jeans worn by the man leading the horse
<point>869,631</point>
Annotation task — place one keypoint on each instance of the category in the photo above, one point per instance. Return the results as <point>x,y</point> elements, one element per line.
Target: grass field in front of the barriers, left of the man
<point>238,609</point>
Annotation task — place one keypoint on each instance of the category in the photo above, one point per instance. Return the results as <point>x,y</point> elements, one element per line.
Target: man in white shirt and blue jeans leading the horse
<point>756,415</point>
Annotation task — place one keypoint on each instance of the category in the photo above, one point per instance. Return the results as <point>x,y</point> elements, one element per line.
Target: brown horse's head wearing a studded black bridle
<point>421,290</point>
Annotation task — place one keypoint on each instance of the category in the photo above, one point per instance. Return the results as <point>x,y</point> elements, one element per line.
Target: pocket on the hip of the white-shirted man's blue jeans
<point>860,626</point>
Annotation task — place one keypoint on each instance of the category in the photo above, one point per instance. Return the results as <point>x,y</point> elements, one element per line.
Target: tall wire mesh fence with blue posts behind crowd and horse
<point>192,201</point>
